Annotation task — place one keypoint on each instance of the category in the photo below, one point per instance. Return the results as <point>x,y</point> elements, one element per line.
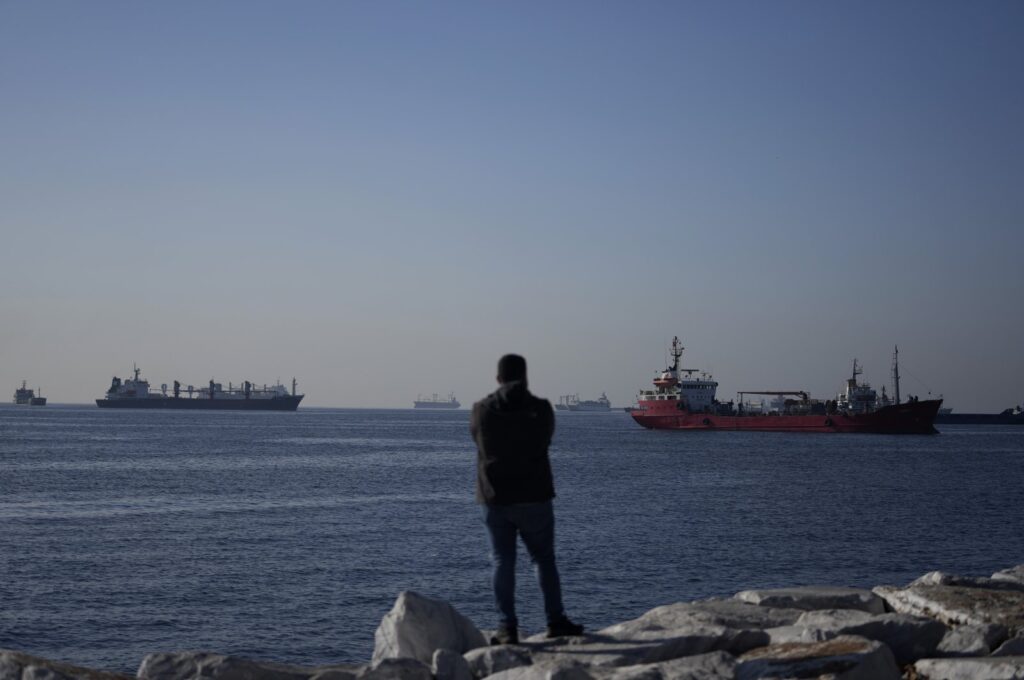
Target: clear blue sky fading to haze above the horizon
<point>381,198</point>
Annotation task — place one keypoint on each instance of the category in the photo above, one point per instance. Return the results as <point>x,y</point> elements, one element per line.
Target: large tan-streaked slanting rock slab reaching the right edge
<point>958,605</point>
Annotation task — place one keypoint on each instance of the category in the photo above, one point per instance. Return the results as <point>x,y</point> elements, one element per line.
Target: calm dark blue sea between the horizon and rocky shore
<point>288,536</point>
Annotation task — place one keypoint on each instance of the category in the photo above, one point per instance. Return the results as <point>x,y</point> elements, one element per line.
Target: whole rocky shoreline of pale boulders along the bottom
<point>938,627</point>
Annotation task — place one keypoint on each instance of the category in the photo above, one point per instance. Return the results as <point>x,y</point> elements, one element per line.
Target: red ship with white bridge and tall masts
<point>685,400</point>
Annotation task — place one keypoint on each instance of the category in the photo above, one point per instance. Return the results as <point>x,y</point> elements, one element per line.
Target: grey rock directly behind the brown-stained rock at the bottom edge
<point>909,637</point>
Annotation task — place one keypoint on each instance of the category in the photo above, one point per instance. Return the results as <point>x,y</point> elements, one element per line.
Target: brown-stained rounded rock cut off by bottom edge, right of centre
<point>845,658</point>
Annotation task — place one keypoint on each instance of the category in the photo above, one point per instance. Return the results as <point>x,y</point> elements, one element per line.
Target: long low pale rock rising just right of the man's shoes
<point>731,613</point>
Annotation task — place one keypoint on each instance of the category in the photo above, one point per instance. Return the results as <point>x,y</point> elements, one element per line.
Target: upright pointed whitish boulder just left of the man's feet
<point>417,626</point>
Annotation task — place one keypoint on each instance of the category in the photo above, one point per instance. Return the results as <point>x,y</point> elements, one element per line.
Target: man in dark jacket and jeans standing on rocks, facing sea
<point>513,430</point>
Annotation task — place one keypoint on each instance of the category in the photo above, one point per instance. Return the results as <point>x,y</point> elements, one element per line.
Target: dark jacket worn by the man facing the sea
<point>513,430</point>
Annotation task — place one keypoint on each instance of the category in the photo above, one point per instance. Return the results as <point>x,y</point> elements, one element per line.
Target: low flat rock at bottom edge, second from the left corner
<point>188,665</point>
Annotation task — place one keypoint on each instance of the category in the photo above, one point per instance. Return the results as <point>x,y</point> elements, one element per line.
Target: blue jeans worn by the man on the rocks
<point>536,524</point>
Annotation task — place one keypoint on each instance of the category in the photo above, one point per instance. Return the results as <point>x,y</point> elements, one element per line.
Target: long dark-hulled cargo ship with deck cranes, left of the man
<point>135,394</point>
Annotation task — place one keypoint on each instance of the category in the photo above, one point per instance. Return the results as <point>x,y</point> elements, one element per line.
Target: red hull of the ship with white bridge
<point>908,418</point>
